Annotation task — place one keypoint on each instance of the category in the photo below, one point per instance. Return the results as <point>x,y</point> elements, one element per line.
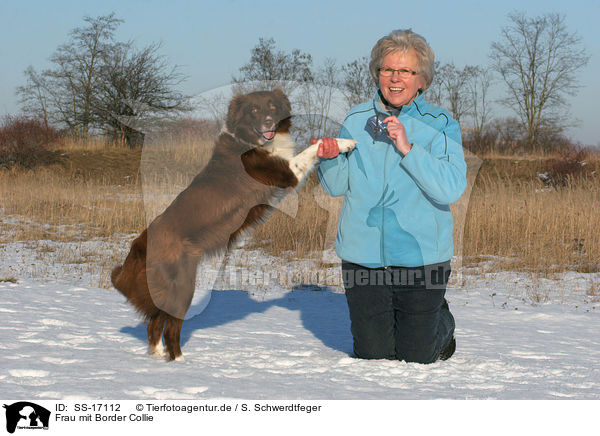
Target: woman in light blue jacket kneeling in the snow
<point>395,229</point>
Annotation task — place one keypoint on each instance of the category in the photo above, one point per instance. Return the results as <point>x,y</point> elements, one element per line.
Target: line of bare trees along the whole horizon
<point>97,84</point>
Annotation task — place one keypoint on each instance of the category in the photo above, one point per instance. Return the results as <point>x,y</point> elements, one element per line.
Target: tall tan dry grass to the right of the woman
<point>530,227</point>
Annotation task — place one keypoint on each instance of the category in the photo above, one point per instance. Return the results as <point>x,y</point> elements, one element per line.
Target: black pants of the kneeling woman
<point>397,312</point>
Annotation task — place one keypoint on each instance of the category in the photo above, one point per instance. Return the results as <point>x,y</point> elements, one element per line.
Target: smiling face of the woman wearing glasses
<point>397,90</point>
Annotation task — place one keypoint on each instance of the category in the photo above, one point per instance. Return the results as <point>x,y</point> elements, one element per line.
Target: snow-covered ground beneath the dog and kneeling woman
<point>65,338</point>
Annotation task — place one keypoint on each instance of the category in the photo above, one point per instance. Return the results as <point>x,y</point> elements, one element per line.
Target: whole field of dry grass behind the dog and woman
<point>100,190</point>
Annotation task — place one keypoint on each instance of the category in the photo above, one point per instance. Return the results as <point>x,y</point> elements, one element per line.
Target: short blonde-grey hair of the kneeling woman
<point>403,41</point>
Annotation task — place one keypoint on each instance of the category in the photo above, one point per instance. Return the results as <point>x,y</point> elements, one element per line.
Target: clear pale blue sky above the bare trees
<point>211,40</point>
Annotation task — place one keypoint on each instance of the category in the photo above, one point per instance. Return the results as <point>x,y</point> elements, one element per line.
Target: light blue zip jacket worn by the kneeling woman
<point>395,209</point>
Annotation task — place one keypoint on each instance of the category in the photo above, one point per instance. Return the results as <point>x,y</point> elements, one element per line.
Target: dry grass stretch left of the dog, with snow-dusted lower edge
<point>97,192</point>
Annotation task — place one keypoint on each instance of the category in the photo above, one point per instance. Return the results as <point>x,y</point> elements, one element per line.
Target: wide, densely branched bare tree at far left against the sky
<point>98,84</point>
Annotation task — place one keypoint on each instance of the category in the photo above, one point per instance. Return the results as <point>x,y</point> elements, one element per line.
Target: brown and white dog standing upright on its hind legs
<point>252,167</point>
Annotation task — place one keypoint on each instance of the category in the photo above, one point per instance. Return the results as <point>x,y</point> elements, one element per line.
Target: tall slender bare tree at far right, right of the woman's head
<point>537,58</point>
